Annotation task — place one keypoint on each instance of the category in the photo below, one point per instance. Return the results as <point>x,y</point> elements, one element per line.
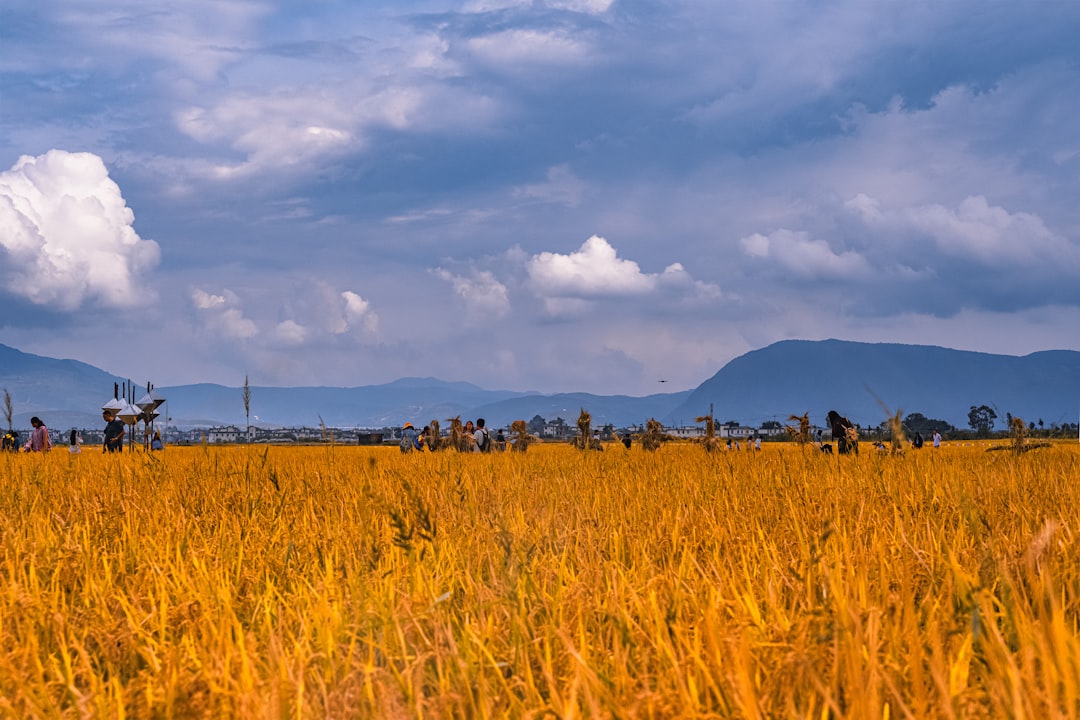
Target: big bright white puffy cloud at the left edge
<point>66,235</point>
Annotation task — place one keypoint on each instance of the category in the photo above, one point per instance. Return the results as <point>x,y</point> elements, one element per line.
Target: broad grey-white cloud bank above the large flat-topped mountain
<point>925,257</point>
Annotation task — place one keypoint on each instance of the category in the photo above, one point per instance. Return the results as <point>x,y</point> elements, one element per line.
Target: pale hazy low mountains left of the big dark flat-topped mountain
<point>69,393</point>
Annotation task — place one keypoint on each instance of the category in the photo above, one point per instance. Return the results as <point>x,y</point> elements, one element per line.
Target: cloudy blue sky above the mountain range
<point>548,195</point>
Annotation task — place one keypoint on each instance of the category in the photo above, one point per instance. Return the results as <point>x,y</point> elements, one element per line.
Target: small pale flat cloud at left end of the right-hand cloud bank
<point>800,255</point>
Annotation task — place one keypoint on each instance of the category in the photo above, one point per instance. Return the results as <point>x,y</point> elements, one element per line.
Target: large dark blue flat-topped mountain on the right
<point>793,377</point>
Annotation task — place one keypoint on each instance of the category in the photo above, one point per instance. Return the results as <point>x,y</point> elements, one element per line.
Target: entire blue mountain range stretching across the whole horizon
<point>787,378</point>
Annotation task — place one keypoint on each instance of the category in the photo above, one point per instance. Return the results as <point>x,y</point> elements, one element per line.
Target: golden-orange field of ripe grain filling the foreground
<point>348,582</point>
